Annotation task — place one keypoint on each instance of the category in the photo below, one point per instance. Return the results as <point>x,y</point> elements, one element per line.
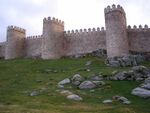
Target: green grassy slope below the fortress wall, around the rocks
<point>18,77</point>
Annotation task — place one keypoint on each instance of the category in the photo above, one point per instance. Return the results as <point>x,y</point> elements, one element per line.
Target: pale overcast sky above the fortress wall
<point>76,14</point>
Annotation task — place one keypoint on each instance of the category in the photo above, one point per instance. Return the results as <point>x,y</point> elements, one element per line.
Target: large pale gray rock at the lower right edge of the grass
<point>141,92</point>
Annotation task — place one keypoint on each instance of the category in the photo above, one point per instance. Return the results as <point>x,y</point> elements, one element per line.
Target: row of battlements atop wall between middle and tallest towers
<point>85,31</point>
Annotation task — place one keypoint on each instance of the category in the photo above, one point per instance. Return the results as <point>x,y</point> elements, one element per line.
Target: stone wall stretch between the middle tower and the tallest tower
<point>80,42</point>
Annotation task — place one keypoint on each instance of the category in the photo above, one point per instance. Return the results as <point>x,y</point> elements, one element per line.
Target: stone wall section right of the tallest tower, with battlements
<point>139,39</point>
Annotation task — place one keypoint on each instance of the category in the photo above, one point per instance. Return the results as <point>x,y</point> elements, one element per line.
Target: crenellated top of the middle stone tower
<point>53,20</point>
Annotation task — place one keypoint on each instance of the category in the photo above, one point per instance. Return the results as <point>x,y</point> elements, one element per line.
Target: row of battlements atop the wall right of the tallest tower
<point>139,28</point>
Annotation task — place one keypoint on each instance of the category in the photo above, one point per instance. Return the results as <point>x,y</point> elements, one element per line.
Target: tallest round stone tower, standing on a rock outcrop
<point>116,33</point>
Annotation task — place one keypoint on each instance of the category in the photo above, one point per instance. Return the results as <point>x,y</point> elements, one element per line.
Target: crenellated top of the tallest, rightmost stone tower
<point>114,8</point>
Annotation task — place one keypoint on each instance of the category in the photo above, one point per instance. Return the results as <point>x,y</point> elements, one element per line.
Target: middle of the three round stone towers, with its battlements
<point>53,34</point>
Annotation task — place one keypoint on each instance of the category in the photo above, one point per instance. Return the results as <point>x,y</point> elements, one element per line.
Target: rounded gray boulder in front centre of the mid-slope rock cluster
<point>87,85</point>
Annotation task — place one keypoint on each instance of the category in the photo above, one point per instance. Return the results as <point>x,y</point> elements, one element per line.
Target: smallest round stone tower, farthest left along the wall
<point>15,42</point>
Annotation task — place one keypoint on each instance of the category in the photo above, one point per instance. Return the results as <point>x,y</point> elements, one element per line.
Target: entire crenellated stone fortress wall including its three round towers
<point>117,38</point>
